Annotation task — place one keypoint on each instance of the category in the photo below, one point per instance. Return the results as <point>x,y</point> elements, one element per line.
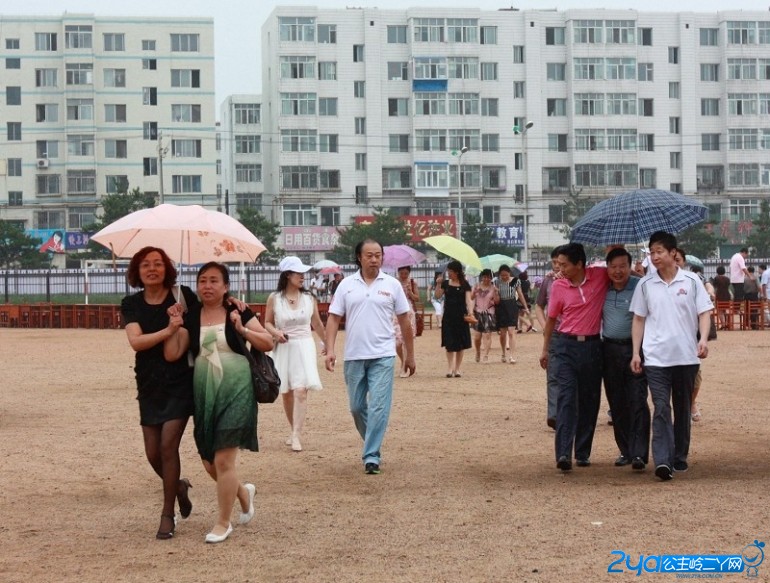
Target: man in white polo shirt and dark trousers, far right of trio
<point>670,306</point>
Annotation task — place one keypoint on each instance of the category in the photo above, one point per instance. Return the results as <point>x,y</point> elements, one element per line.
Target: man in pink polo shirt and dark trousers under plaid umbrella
<point>576,301</point>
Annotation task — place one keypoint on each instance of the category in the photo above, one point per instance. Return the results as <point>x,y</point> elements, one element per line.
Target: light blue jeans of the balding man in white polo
<point>370,393</point>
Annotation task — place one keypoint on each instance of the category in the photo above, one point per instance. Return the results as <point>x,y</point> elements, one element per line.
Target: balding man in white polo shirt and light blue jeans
<point>369,300</point>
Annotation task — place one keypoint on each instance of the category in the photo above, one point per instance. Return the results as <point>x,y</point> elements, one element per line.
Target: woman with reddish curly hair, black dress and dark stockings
<point>164,388</point>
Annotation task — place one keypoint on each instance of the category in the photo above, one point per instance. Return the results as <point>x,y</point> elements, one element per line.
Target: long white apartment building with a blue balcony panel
<point>365,107</point>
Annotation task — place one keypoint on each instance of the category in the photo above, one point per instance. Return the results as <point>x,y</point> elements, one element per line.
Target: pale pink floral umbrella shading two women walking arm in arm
<point>188,234</point>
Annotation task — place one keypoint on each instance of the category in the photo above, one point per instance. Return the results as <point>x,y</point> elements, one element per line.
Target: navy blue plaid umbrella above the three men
<point>631,217</point>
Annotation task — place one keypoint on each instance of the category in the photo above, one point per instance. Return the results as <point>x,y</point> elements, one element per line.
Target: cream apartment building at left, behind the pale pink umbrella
<point>93,105</point>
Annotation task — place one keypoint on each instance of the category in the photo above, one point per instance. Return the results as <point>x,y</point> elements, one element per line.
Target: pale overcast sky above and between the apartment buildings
<point>238,22</point>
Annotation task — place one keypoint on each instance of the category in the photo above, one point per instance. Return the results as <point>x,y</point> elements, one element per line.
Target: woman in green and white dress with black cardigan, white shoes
<point>225,411</point>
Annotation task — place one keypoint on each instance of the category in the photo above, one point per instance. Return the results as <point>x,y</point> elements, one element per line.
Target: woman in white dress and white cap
<point>289,314</point>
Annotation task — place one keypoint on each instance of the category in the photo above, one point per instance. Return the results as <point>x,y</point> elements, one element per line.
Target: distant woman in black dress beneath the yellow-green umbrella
<point>458,310</point>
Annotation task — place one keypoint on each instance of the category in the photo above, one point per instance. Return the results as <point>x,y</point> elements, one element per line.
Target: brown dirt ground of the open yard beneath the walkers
<point>469,489</point>
